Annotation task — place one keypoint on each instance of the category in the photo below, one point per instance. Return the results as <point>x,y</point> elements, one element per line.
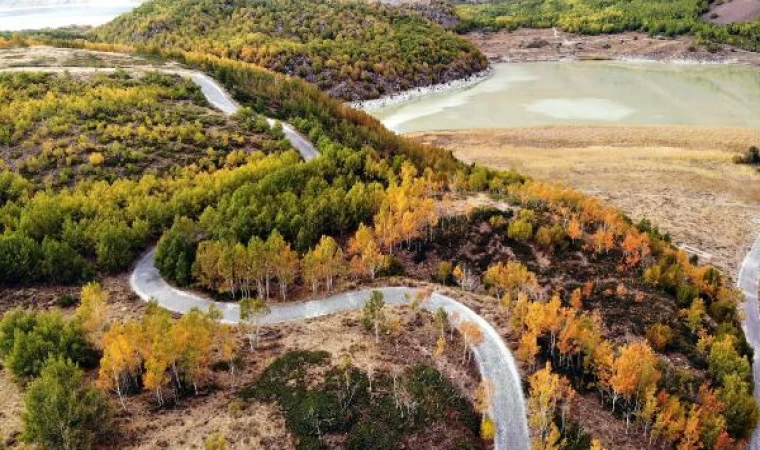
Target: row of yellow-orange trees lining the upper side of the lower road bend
<point>405,211</point>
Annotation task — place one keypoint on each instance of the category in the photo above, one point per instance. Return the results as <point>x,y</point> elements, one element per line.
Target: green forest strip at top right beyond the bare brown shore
<point>670,18</point>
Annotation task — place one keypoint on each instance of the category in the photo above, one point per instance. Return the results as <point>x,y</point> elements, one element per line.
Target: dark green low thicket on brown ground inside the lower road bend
<point>341,402</point>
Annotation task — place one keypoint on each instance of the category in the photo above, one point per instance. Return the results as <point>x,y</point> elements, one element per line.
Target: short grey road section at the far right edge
<point>749,278</point>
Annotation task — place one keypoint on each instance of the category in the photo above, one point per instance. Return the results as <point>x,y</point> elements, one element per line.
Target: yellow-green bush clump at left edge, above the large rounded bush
<point>28,339</point>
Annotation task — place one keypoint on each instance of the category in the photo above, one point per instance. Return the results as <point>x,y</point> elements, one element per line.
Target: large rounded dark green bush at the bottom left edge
<point>62,411</point>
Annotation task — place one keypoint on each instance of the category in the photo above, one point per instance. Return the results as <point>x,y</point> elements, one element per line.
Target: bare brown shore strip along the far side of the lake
<point>531,45</point>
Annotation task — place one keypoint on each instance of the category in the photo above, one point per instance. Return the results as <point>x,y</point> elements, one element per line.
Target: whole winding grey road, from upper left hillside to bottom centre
<point>494,359</point>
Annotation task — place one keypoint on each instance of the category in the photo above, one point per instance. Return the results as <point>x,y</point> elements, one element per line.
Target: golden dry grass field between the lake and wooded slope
<point>681,178</point>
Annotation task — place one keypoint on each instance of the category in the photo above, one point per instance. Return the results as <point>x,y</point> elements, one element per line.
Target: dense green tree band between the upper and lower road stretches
<point>103,225</point>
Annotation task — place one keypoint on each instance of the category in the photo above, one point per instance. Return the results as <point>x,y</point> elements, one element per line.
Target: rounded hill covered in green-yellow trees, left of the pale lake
<point>353,50</point>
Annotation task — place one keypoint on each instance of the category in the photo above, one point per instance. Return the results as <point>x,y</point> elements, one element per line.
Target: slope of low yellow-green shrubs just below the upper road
<point>58,129</point>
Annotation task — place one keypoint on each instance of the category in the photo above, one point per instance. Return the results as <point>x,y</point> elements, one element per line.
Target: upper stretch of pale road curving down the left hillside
<point>215,94</point>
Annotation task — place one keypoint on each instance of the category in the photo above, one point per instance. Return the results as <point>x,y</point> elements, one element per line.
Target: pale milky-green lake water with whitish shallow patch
<point>562,93</point>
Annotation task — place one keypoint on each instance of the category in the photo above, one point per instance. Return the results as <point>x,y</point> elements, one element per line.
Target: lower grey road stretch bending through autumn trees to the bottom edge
<point>494,359</point>
